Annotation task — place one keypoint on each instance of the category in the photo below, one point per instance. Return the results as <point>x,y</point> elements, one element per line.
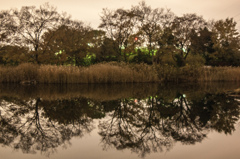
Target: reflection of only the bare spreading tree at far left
<point>27,126</point>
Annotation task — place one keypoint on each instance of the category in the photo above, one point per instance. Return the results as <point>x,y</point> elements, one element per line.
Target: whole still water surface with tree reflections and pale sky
<point>120,121</point>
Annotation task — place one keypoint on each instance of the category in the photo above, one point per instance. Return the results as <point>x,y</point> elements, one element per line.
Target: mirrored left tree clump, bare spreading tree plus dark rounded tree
<point>36,125</point>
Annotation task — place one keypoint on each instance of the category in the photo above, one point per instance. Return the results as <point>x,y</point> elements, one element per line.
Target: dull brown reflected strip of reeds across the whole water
<point>106,92</point>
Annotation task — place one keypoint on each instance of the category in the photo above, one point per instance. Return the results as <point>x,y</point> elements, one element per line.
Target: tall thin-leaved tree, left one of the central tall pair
<point>119,26</point>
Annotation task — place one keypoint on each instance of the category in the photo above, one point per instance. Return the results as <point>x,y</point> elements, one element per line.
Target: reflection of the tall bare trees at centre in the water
<point>130,128</point>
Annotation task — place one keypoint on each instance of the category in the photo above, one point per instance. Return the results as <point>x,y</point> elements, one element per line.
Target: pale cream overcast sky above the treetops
<point>89,11</point>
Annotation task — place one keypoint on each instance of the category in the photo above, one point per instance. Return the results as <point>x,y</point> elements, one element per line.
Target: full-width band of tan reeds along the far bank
<point>115,73</point>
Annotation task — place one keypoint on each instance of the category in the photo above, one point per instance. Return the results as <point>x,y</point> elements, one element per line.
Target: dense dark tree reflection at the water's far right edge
<point>219,112</point>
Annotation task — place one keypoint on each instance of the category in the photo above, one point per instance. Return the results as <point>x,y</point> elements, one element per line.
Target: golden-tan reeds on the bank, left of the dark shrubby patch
<point>99,73</point>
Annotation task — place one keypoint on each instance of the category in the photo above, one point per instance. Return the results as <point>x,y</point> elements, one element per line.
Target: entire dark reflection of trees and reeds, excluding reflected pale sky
<point>141,118</point>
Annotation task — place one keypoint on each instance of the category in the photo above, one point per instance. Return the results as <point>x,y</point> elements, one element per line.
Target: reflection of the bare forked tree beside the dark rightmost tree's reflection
<point>182,124</point>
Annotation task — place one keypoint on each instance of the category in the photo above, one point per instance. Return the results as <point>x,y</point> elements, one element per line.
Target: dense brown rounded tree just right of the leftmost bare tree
<point>69,42</point>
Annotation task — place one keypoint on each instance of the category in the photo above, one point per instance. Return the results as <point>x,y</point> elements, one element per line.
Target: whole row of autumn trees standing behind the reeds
<point>140,34</point>
